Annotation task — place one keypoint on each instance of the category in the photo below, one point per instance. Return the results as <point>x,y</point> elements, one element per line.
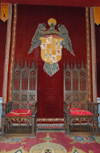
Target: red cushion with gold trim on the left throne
<point>20,112</point>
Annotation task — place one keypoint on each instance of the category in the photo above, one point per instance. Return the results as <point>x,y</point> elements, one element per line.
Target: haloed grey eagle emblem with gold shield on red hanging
<point>51,42</point>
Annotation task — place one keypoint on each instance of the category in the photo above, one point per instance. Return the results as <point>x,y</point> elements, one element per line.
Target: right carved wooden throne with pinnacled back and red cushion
<point>80,115</point>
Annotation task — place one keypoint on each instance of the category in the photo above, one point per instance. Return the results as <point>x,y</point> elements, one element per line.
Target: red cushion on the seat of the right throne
<point>79,111</point>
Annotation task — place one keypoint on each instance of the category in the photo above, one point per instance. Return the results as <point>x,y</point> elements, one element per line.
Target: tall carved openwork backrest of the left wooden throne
<point>24,83</point>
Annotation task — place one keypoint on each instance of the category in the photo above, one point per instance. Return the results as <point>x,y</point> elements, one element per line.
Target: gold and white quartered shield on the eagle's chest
<point>51,48</point>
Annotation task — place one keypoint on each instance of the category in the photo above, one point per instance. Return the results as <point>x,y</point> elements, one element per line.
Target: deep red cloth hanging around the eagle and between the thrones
<point>50,89</point>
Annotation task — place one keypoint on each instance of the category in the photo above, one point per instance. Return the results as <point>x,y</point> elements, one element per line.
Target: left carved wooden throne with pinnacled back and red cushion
<point>19,116</point>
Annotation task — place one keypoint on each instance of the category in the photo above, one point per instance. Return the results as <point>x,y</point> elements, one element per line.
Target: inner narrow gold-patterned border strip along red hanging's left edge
<point>12,52</point>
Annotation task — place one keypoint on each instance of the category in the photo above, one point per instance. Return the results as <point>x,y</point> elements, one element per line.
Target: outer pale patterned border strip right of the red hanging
<point>93,50</point>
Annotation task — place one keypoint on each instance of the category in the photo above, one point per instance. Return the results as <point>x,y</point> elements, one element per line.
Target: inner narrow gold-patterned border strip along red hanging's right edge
<point>88,54</point>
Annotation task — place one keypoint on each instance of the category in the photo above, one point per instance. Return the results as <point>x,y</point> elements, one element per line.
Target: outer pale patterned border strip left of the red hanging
<point>7,50</point>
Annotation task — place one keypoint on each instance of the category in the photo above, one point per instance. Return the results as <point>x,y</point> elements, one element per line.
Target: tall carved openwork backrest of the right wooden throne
<point>75,83</point>
